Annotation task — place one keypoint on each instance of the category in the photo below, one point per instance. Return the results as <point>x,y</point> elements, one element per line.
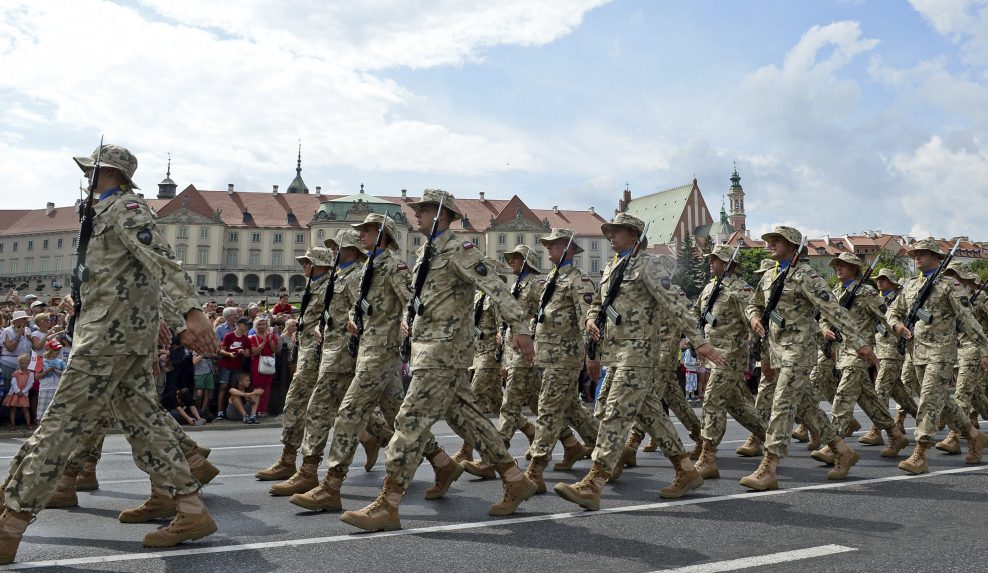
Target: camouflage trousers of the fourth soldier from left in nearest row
<point>795,395</point>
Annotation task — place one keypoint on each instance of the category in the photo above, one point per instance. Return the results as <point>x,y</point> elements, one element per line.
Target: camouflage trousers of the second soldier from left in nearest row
<point>433,394</point>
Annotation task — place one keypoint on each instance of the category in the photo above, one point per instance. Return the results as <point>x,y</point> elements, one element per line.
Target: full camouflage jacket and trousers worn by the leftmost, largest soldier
<point>129,263</point>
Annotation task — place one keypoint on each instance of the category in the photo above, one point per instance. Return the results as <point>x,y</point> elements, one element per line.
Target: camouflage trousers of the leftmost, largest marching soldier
<point>90,387</point>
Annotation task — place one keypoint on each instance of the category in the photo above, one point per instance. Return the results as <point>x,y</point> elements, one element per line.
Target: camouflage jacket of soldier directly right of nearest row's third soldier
<point>729,334</point>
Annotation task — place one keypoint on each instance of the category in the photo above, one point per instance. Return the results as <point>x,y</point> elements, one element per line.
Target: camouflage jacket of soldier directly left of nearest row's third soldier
<point>559,339</point>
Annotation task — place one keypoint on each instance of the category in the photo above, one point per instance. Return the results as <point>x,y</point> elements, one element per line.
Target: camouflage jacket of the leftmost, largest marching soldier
<point>130,264</point>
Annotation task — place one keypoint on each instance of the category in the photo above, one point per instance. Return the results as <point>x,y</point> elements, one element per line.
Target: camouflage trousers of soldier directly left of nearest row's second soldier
<point>373,383</point>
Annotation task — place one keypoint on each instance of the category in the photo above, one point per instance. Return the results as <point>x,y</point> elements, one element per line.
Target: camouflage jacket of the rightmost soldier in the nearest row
<point>936,342</point>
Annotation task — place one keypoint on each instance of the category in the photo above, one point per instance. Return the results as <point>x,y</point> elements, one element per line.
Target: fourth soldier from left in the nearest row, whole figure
<point>792,356</point>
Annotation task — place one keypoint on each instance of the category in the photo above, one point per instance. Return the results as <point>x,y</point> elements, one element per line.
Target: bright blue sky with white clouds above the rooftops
<point>841,116</point>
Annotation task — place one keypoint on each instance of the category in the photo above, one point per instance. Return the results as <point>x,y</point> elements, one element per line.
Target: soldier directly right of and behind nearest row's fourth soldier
<point>855,384</point>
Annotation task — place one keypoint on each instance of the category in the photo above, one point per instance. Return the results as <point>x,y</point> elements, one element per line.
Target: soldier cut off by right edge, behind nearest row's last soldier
<point>970,389</point>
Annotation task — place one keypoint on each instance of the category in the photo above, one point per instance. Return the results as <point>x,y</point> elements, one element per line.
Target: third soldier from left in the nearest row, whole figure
<point>627,348</point>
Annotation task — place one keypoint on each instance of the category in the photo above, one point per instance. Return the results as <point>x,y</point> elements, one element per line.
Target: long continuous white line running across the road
<point>471,525</point>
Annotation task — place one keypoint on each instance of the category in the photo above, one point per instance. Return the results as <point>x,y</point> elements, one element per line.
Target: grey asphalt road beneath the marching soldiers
<point>879,519</point>
